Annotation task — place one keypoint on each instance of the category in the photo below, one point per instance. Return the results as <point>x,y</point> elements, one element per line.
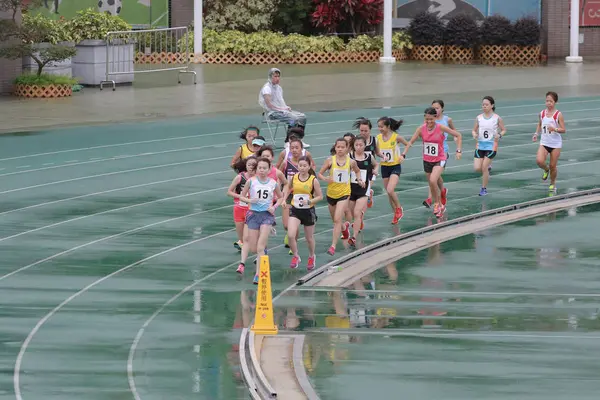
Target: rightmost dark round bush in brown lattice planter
<point>526,41</point>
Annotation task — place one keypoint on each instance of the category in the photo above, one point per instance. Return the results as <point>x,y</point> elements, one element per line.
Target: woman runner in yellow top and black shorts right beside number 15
<point>305,191</point>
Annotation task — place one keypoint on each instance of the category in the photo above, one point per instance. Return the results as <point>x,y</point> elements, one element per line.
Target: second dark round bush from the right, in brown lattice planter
<point>495,37</point>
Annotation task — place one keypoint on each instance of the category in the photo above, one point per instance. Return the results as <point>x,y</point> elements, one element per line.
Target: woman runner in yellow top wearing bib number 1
<point>338,188</point>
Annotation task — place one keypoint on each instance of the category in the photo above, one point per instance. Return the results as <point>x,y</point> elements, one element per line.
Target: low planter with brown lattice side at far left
<point>44,85</point>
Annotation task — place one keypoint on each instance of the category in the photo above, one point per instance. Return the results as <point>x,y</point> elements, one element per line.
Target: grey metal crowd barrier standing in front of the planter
<point>151,50</point>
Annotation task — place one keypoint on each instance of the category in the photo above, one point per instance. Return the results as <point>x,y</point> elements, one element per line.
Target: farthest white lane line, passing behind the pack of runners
<point>224,145</point>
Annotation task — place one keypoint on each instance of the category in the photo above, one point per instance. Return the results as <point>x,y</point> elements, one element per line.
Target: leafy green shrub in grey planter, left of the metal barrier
<point>44,33</point>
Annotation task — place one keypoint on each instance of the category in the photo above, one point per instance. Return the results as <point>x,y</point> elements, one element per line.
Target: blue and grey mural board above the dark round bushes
<point>405,10</point>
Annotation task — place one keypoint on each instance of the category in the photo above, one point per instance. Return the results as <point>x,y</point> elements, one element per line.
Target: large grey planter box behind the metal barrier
<point>89,64</point>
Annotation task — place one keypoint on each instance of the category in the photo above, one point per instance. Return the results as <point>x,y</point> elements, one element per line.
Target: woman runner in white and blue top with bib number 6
<point>488,130</point>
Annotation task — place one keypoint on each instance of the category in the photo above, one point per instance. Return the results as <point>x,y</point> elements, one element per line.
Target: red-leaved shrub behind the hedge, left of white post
<point>358,15</point>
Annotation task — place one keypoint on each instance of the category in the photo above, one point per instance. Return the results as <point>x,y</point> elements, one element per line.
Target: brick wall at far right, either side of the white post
<point>556,22</point>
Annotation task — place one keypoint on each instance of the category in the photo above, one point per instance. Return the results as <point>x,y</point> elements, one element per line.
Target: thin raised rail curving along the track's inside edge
<point>387,242</point>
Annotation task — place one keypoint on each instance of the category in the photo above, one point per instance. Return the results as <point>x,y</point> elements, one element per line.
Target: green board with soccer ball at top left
<point>138,13</point>
